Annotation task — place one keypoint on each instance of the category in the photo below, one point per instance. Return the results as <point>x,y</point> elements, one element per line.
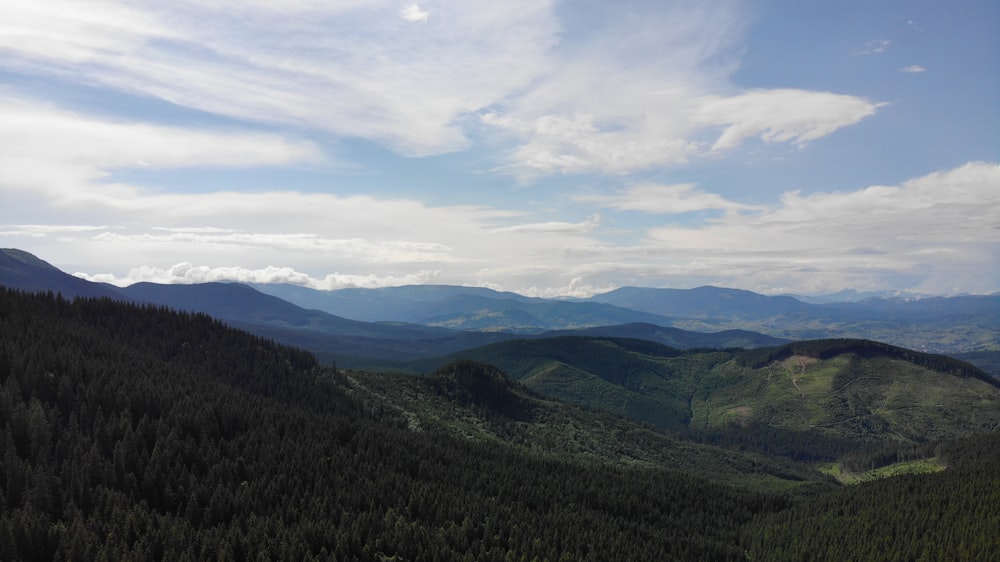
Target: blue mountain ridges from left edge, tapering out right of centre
<point>372,344</point>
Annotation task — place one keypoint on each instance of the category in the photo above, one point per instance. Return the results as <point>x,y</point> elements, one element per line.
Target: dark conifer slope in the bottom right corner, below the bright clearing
<point>936,517</point>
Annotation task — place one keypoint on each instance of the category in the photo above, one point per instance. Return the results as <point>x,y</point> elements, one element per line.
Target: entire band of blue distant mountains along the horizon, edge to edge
<point>378,328</point>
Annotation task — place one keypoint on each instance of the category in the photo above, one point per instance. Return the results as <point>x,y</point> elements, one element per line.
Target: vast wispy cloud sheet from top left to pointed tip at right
<point>615,94</point>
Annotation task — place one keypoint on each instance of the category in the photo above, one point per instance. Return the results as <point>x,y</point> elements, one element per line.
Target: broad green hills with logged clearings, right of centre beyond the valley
<point>809,400</point>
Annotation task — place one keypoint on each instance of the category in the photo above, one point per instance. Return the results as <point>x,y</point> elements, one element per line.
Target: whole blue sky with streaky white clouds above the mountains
<point>551,148</point>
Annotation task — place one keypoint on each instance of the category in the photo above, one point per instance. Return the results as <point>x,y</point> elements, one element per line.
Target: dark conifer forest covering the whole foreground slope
<point>135,432</point>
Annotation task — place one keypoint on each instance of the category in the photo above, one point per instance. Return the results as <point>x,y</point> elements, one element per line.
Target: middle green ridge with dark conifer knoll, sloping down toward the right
<point>477,402</point>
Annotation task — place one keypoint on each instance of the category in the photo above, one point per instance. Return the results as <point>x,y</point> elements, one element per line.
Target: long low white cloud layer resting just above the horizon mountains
<point>938,233</point>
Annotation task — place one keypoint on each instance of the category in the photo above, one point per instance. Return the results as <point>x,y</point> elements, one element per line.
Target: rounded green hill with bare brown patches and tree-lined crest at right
<point>850,389</point>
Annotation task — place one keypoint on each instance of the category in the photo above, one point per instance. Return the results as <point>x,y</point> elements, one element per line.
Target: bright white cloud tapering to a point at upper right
<point>663,127</point>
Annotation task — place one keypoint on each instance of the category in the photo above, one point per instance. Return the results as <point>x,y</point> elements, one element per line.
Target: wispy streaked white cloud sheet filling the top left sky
<point>356,69</point>
